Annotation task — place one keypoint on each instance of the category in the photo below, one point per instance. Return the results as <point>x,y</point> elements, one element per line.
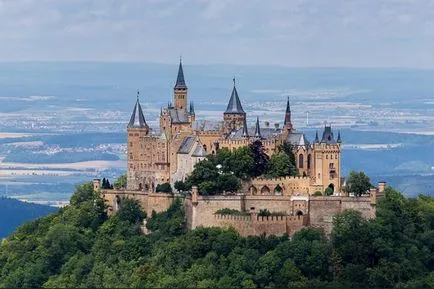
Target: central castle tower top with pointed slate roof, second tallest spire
<point>234,116</point>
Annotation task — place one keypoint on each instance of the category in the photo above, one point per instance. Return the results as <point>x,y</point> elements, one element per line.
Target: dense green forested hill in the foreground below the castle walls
<point>80,247</point>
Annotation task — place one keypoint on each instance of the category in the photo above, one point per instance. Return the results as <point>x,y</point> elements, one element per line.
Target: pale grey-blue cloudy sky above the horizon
<point>306,33</point>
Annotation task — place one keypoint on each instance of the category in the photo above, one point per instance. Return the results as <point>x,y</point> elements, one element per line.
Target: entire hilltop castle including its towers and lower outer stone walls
<point>170,154</point>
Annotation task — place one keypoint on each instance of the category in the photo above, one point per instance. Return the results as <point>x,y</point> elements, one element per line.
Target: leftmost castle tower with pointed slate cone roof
<point>137,129</point>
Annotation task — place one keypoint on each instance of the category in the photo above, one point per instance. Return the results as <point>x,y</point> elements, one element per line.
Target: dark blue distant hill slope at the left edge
<point>14,213</point>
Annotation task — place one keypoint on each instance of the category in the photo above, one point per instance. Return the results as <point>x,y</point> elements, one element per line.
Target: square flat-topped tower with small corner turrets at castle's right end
<point>327,158</point>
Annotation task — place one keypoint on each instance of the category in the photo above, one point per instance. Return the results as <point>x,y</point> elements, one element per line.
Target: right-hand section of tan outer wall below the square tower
<point>322,209</point>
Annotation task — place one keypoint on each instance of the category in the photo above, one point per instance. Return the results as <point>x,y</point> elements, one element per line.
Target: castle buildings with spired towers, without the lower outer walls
<point>169,155</point>
